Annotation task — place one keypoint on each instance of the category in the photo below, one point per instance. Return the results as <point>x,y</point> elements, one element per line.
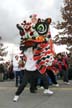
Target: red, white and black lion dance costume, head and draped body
<point>36,34</point>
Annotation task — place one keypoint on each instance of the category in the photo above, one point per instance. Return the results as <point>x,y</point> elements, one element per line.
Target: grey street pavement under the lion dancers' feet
<point>62,97</point>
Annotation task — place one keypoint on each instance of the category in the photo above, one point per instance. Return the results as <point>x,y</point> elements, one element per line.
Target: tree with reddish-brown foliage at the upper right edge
<point>65,26</point>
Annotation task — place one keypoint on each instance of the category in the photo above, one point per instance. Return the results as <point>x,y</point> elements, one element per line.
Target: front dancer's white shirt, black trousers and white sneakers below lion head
<point>30,75</point>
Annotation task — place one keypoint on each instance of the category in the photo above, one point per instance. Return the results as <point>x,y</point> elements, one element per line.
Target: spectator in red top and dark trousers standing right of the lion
<point>63,67</point>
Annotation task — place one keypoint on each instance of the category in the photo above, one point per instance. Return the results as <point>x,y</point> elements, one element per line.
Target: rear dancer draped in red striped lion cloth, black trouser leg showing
<point>45,61</point>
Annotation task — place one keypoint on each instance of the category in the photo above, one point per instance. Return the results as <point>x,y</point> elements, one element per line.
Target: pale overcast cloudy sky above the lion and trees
<point>15,11</point>
